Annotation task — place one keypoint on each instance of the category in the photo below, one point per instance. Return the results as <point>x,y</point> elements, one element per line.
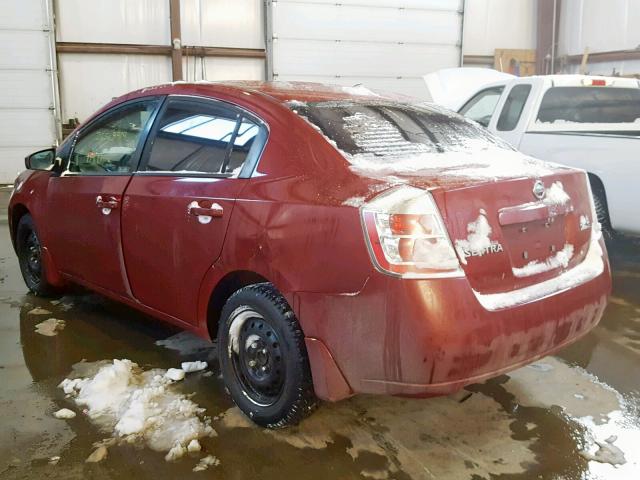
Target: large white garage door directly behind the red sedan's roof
<point>385,44</point>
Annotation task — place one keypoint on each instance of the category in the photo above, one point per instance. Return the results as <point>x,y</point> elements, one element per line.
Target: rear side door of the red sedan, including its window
<point>177,207</point>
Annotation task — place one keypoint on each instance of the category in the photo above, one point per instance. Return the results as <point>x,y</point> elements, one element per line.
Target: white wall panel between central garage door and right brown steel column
<point>491,24</point>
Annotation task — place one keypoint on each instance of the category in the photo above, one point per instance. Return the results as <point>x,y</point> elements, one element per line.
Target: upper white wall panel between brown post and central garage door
<point>222,23</point>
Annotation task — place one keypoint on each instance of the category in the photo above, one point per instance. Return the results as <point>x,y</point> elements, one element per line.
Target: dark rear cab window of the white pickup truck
<point>590,105</point>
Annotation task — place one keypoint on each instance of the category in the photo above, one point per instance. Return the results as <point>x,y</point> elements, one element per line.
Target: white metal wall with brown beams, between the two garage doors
<point>88,80</point>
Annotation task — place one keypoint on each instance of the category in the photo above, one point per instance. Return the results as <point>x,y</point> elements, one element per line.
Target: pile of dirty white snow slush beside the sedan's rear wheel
<point>138,406</point>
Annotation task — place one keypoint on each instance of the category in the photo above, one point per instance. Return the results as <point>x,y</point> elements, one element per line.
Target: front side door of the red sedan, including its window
<point>85,202</point>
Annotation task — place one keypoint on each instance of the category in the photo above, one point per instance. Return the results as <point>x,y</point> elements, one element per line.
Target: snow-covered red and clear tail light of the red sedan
<point>407,237</point>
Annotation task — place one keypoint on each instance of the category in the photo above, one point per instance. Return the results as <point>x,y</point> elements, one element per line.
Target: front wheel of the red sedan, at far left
<point>29,252</point>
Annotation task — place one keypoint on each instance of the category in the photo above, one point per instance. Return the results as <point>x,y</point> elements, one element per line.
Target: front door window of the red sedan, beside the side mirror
<point>110,145</point>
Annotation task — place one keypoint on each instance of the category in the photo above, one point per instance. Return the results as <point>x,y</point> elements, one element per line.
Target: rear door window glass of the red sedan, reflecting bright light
<point>201,137</point>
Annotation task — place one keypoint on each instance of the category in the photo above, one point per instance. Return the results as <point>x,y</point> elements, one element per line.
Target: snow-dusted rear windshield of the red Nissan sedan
<point>395,130</point>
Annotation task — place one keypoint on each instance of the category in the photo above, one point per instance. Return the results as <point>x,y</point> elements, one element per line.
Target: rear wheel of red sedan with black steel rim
<point>263,357</point>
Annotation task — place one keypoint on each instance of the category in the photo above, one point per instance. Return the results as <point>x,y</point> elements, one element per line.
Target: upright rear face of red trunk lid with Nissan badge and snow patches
<point>518,232</point>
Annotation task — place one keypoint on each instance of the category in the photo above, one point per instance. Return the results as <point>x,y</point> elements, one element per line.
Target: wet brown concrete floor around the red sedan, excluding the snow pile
<point>575,416</point>
